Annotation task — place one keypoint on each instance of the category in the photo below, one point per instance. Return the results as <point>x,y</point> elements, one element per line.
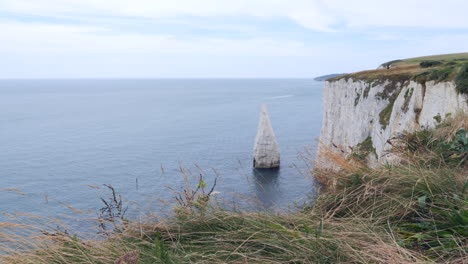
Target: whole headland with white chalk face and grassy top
<point>363,111</point>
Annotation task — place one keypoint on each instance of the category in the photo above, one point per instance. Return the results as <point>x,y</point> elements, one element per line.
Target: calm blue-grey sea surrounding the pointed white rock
<point>59,137</point>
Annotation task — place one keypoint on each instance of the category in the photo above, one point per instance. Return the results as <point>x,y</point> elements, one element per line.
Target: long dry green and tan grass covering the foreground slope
<point>415,211</point>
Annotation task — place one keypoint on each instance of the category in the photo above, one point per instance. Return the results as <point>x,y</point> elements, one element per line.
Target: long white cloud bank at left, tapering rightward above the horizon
<point>51,38</point>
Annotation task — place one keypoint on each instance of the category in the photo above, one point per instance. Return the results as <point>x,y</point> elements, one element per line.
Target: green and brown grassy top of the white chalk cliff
<point>448,67</point>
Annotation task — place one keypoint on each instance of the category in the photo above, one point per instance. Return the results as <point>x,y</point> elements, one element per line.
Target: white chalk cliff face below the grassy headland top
<point>358,112</point>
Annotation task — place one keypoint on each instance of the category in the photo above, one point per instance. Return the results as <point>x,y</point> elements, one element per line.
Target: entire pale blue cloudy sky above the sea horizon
<point>221,38</point>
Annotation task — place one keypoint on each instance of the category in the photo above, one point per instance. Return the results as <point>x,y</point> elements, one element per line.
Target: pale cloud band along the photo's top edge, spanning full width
<point>321,15</point>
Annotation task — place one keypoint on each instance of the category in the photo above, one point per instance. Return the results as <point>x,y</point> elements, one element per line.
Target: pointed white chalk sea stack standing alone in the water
<point>266,153</point>
